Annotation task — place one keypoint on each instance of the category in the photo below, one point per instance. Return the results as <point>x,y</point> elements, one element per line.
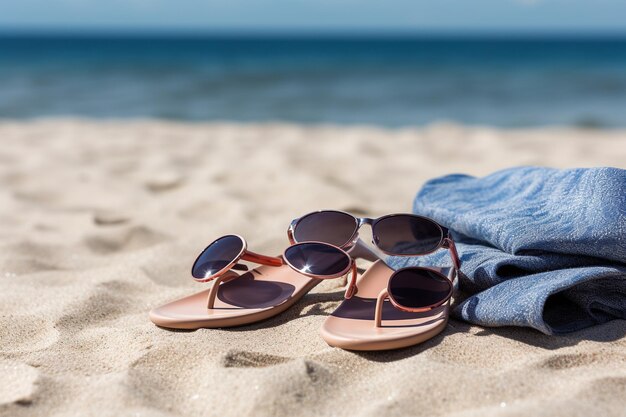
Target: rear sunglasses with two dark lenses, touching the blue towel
<point>393,234</point>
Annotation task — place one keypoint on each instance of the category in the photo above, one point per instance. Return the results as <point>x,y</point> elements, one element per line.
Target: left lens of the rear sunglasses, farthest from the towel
<point>327,226</point>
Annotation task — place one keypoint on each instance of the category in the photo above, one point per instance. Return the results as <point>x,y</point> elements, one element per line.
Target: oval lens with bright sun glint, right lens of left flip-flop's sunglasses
<point>317,259</point>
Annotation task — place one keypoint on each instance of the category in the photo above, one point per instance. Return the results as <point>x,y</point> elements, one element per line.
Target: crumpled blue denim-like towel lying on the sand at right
<point>540,247</point>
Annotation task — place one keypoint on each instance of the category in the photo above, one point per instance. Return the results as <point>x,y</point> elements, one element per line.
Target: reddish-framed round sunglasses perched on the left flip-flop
<point>314,259</point>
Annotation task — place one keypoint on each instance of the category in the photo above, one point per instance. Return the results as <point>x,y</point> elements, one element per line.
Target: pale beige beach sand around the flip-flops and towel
<point>100,221</point>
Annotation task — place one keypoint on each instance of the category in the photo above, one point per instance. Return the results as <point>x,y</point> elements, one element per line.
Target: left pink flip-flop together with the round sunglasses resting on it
<point>258,294</point>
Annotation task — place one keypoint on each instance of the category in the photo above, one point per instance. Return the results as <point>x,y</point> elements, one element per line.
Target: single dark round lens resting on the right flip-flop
<point>417,288</point>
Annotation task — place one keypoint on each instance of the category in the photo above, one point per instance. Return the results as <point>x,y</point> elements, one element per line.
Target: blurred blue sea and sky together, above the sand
<point>509,63</point>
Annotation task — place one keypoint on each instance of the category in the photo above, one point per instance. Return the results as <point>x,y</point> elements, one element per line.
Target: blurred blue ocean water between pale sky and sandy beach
<point>387,81</point>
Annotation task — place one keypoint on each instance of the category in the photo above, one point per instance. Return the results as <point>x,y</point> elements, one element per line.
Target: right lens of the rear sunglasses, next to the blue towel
<point>407,235</point>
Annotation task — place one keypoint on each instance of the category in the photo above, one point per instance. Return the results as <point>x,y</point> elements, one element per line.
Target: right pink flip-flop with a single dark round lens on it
<point>377,318</point>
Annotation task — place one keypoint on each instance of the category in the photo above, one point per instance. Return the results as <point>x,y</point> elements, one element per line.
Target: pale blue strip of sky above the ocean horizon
<point>572,16</point>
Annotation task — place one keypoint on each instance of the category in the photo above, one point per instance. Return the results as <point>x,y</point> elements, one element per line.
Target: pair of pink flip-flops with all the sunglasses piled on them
<point>383,309</point>
